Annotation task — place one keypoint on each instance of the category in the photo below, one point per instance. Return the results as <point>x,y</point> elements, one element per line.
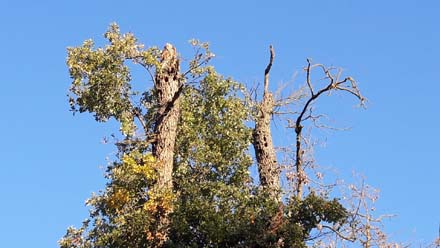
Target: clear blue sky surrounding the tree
<point>52,161</point>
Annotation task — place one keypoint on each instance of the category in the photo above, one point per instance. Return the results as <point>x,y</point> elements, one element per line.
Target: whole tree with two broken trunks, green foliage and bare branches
<point>181,175</point>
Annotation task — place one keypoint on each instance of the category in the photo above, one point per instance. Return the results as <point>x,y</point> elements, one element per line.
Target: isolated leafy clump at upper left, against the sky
<point>101,78</point>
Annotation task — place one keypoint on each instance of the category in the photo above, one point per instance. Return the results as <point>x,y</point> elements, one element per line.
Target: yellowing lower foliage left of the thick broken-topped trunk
<point>126,213</point>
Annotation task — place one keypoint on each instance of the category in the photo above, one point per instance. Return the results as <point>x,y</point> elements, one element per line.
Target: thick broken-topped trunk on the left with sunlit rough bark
<point>167,88</point>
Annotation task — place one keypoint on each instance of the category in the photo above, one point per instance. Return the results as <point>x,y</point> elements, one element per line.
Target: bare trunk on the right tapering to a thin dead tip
<point>262,140</point>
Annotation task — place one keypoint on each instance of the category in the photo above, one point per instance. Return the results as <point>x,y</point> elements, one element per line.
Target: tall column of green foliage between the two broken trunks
<point>212,175</point>
